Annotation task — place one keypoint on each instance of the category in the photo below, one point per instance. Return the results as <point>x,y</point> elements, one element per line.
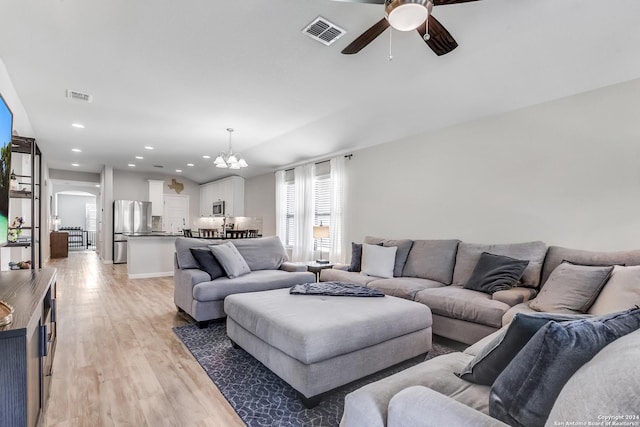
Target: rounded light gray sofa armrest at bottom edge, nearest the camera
<point>422,407</point>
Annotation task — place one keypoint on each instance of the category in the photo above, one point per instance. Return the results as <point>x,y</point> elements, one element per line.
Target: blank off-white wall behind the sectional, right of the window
<point>565,172</point>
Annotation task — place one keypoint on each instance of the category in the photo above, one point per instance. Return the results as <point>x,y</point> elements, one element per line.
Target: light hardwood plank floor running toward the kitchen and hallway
<point>117,360</point>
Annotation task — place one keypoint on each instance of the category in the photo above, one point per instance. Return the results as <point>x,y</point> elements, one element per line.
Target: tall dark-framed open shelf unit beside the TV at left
<point>26,159</point>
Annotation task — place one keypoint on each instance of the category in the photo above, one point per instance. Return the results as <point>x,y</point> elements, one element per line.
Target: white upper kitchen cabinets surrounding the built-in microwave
<point>230,190</point>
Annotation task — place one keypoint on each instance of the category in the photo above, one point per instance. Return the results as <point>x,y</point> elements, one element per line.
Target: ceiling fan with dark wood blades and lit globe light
<point>408,15</point>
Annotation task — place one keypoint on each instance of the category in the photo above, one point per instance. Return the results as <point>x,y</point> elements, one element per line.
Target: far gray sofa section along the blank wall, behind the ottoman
<point>433,272</point>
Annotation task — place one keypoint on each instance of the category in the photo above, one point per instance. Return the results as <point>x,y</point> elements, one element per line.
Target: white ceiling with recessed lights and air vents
<point>176,74</point>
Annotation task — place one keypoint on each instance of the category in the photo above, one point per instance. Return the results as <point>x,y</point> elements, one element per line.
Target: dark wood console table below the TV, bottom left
<point>27,345</point>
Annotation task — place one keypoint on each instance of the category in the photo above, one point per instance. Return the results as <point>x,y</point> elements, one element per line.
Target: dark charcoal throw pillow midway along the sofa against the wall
<point>495,273</point>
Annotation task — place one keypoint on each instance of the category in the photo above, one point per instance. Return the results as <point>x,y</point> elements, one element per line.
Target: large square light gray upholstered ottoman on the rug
<point>318,343</point>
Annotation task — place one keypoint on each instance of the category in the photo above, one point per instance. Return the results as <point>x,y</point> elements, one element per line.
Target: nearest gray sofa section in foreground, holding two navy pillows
<point>431,395</point>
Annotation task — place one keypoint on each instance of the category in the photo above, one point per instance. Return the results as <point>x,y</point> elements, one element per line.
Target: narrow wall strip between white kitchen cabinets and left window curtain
<point>259,201</point>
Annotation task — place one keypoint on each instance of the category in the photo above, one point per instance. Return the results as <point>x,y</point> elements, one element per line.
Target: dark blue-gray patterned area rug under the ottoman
<point>258,395</point>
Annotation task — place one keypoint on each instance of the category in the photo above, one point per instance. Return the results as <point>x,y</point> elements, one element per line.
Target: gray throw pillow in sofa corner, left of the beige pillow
<point>571,288</point>
